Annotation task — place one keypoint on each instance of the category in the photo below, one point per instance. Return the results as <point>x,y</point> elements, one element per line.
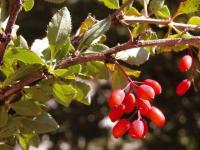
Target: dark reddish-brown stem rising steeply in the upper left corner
<point>16,6</point>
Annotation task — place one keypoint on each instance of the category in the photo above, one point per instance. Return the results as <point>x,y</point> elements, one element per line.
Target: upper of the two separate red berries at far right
<point>185,63</point>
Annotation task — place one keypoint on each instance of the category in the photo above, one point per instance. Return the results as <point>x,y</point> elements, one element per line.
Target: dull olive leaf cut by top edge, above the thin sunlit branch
<point>156,5</point>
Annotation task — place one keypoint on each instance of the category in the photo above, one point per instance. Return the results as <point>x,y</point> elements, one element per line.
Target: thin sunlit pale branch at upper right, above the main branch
<point>132,20</point>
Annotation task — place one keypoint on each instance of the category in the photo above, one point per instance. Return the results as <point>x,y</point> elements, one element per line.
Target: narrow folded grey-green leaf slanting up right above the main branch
<point>94,32</point>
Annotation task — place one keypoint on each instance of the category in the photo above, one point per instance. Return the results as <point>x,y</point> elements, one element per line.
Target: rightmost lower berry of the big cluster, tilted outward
<point>156,116</point>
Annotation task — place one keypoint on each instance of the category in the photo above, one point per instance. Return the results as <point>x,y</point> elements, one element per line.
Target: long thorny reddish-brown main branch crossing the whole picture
<point>103,56</point>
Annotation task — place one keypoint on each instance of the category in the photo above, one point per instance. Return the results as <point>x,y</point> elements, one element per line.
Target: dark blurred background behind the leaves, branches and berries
<point>85,127</point>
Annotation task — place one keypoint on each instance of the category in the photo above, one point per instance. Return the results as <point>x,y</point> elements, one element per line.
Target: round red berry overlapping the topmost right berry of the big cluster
<point>145,92</point>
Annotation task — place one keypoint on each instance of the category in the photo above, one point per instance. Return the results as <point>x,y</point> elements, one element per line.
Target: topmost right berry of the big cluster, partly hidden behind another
<point>155,85</point>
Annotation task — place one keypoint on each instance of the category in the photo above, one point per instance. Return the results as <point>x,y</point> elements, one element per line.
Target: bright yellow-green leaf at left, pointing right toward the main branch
<point>23,55</point>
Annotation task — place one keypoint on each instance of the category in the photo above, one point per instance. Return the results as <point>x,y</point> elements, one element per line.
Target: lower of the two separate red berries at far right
<point>183,87</point>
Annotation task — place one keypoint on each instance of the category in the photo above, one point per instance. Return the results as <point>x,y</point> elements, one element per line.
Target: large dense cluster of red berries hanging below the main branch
<point>135,99</point>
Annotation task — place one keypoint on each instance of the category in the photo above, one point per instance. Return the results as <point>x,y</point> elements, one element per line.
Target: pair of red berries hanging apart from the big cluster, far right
<point>185,64</point>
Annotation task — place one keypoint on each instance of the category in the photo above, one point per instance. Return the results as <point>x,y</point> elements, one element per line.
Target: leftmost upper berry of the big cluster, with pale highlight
<point>116,98</point>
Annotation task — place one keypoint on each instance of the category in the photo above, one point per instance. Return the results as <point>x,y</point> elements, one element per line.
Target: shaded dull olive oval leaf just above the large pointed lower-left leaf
<point>27,108</point>
